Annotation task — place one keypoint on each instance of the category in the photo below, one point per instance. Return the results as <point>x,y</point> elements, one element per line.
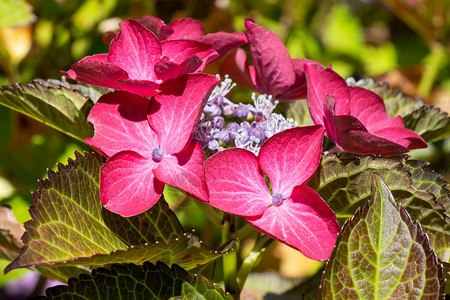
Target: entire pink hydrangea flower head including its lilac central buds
<point>167,117</point>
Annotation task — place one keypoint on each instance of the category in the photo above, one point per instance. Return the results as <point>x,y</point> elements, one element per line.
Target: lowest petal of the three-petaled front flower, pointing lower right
<point>304,221</point>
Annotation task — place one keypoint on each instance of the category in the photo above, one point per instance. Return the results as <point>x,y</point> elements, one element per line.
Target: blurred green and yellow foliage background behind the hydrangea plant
<point>405,43</point>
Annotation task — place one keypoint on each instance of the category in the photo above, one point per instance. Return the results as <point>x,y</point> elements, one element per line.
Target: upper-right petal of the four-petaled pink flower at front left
<point>175,111</point>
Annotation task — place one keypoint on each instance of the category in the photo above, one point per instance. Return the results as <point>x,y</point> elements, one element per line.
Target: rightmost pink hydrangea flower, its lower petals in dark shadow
<point>356,118</point>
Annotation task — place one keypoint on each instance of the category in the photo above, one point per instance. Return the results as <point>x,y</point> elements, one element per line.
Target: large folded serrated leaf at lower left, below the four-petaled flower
<point>69,226</point>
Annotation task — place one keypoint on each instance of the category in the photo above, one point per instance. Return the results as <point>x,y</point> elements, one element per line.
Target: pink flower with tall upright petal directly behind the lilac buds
<point>273,71</point>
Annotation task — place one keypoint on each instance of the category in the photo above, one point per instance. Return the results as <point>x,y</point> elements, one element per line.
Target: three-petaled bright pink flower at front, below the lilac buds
<point>288,211</point>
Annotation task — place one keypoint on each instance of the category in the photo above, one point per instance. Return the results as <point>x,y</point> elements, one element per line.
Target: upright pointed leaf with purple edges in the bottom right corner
<point>382,252</point>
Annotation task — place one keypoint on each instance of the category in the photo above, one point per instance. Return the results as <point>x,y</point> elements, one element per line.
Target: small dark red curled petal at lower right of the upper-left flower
<point>166,69</point>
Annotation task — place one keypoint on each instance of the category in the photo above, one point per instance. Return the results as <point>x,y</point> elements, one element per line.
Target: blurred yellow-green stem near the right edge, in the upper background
<point>435,62</point>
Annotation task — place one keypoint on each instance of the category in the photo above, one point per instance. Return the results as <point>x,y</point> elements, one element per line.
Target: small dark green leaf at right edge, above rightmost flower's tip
<point>430,122</point>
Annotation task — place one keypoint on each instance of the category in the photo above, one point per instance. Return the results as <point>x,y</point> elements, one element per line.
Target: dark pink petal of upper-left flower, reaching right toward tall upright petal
<point>223,42</point>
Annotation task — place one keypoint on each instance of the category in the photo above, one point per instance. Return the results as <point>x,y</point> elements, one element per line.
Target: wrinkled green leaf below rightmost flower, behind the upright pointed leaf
<point>345,184</point>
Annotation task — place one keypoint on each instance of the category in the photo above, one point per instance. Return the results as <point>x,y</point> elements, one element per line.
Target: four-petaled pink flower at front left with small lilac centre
<point>148,143</point>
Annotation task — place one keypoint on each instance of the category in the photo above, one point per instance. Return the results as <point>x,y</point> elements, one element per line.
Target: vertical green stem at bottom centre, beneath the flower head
<point>229,259</point>
